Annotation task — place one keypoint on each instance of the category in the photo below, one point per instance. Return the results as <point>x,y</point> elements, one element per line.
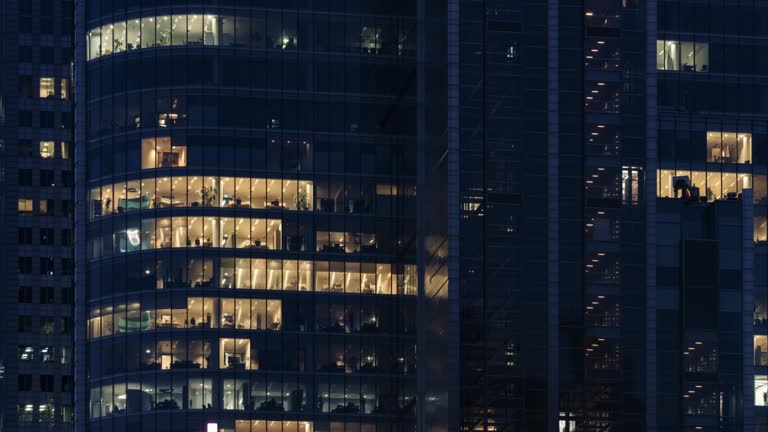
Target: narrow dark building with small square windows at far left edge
<point>36,208</point>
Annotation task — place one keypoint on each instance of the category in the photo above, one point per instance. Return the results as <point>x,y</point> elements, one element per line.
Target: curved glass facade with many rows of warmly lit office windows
<point>251,216</point>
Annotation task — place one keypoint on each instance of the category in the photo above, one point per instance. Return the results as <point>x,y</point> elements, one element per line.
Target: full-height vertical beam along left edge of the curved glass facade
<point>81,372</point>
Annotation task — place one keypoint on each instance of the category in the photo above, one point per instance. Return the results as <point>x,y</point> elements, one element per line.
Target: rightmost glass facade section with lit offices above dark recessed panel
<point>711,154</point>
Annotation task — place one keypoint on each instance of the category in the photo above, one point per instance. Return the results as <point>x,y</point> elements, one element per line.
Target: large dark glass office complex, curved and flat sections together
<point>586,250</point>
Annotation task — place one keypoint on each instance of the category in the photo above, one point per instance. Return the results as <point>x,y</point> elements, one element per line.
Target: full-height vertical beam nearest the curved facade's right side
<point>454,206</point>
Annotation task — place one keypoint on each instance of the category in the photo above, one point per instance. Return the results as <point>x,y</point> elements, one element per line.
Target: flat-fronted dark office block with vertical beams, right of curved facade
<point>612,180</point>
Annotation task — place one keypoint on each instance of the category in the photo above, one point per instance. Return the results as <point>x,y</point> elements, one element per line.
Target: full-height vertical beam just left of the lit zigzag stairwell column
<point>553,215</point>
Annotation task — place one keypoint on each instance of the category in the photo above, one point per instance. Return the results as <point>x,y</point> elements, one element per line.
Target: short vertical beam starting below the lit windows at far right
<point>747,296</point>
